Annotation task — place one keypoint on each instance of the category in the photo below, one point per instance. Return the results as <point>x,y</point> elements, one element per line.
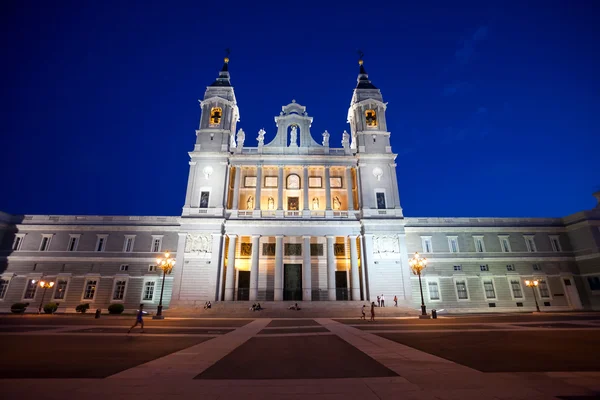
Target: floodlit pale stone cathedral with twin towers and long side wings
<point>299,218</point>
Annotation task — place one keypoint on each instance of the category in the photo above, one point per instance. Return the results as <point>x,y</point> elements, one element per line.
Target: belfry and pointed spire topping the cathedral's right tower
<point>366,117</point>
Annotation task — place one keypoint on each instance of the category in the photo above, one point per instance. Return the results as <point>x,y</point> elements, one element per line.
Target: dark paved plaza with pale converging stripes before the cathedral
<point>316,358</point>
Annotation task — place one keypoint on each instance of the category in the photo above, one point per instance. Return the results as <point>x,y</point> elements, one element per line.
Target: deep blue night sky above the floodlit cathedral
<point>494,107</point>
